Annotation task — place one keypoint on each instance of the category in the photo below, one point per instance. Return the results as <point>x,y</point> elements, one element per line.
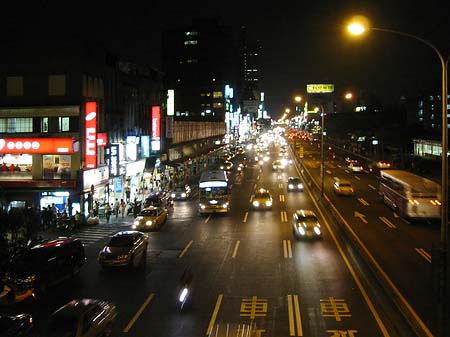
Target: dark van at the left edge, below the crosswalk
<point>51,262</point>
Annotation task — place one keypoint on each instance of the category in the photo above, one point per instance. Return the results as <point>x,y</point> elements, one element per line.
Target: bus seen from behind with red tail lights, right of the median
<point>410,195</point>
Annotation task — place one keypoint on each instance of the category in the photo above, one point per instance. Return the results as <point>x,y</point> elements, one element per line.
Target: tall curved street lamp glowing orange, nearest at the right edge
<point>360,25</point>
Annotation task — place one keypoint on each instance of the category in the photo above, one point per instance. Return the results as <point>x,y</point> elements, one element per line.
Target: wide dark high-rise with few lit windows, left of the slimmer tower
<point>199,61</point>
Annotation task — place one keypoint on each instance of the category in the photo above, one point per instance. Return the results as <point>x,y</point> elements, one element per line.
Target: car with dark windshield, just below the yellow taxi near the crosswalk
<point>125,248</point>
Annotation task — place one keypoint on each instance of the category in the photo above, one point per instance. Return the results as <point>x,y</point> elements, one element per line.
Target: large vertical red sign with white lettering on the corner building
<point>90,155</point>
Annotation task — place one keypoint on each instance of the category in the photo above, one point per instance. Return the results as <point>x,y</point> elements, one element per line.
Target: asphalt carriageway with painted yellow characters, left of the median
<point>250,274</point>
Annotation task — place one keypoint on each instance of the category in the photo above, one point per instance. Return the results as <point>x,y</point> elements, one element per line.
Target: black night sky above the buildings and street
<point>303,41</point>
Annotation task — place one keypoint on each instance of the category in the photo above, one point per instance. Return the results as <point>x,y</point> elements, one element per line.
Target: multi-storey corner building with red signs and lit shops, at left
<point>75,124</point>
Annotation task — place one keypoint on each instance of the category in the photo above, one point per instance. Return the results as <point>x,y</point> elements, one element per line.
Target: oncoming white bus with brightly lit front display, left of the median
<point>214,192</point>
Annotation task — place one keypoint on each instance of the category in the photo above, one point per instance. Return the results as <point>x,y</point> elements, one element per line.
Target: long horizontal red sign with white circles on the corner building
<point>36,145</point>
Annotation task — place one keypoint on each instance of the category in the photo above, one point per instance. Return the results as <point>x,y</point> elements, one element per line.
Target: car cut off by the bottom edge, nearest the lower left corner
<point>83,318</point>
